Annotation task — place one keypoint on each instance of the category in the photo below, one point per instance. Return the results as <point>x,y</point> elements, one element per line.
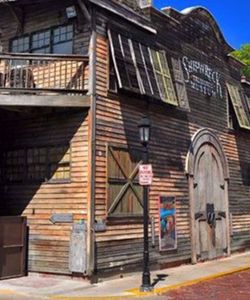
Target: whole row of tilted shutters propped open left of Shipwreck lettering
<point>141,69</point>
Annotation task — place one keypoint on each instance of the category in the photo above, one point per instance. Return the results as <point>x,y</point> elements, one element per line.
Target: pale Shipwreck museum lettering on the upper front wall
<point>202,78</point>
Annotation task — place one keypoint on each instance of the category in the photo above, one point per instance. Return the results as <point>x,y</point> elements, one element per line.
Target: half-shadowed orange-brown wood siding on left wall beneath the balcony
<point>48,242</point>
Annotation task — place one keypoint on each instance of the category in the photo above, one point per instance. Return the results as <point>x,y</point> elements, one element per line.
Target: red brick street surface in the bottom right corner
<point>230,287</point>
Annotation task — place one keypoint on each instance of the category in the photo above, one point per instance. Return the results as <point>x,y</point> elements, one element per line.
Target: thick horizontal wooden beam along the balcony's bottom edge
<point>45,101</point>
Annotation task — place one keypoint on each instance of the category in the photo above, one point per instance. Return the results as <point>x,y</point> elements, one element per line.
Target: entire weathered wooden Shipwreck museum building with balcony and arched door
<point>76,77</point>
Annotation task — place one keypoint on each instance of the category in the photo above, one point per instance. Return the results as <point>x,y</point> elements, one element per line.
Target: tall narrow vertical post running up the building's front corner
<point>92,149</point>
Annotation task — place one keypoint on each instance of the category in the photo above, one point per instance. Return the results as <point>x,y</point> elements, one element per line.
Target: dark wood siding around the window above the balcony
<point>40,16</point>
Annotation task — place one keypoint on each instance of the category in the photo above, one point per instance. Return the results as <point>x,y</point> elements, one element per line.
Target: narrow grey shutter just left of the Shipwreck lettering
<point>180,83</point>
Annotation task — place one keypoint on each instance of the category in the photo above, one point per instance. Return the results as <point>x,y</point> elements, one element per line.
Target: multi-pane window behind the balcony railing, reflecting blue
<point>54,40</point>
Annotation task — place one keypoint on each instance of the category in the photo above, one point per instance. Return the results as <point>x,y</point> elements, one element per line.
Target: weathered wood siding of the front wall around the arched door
<point>172,130</point>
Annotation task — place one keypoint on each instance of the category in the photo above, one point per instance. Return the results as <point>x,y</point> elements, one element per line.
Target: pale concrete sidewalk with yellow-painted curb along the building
<point>38,287</point>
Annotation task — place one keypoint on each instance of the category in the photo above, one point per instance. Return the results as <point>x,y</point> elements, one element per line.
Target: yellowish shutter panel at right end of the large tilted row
<point>163,77</point>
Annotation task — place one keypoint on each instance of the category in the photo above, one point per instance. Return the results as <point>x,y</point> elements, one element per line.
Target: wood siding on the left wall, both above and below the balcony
<point>48,243</point>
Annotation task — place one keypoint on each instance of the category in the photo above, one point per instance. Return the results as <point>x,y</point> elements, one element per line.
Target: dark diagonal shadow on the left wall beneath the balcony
<point>35,151</point>
